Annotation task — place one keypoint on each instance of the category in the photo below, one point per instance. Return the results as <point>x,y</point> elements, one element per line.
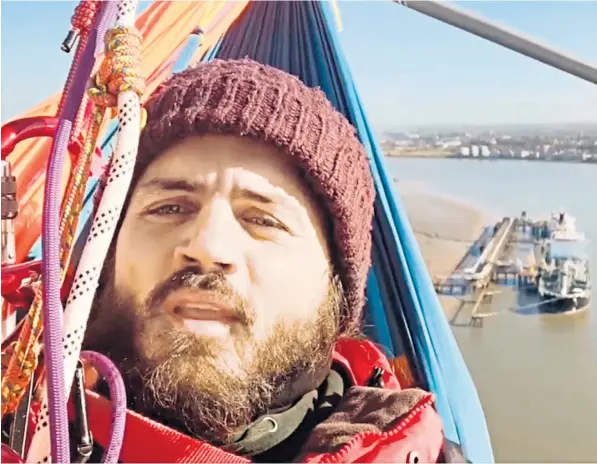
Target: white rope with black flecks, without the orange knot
<point>82,293</point>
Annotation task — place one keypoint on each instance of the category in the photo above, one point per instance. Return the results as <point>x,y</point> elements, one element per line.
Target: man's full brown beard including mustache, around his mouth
<point>205,386</point>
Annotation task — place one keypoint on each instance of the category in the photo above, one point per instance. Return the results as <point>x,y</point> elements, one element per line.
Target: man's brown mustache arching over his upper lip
<point>194,278</point>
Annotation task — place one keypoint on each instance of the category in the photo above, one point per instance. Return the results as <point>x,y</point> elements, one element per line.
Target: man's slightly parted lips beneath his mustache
<point>199,305</point>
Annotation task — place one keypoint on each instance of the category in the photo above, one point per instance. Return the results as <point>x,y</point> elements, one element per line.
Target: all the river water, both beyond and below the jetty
<point>536,373</point>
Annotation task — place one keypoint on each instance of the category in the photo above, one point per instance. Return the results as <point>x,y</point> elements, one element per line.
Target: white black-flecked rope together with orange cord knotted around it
<point>117,82</point>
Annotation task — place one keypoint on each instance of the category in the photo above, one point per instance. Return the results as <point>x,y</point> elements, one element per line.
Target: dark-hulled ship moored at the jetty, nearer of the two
<point>565,280</point>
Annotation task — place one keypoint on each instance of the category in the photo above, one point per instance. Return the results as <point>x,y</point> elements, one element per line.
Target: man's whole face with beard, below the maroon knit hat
<point>220,284</point>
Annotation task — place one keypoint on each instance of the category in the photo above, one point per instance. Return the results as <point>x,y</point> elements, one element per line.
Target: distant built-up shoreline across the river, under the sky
<point>532,143</point>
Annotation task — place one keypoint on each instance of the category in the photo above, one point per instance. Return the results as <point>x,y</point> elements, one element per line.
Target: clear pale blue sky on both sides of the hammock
<point>410,70</point>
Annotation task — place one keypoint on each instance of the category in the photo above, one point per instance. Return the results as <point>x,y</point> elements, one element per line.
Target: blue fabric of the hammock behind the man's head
<point>403,313</point>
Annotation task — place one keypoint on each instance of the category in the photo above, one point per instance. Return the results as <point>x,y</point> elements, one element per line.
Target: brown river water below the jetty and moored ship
<point>537,378</point>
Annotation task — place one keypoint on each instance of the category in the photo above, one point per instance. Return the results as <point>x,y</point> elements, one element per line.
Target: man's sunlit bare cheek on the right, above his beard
<point>289,282</point>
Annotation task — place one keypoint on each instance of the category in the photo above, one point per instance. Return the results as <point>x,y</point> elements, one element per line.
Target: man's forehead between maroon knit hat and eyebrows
<point>254,164</point>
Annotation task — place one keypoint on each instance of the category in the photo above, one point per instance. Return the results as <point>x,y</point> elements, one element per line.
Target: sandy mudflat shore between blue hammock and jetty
<point>445,228</point>
